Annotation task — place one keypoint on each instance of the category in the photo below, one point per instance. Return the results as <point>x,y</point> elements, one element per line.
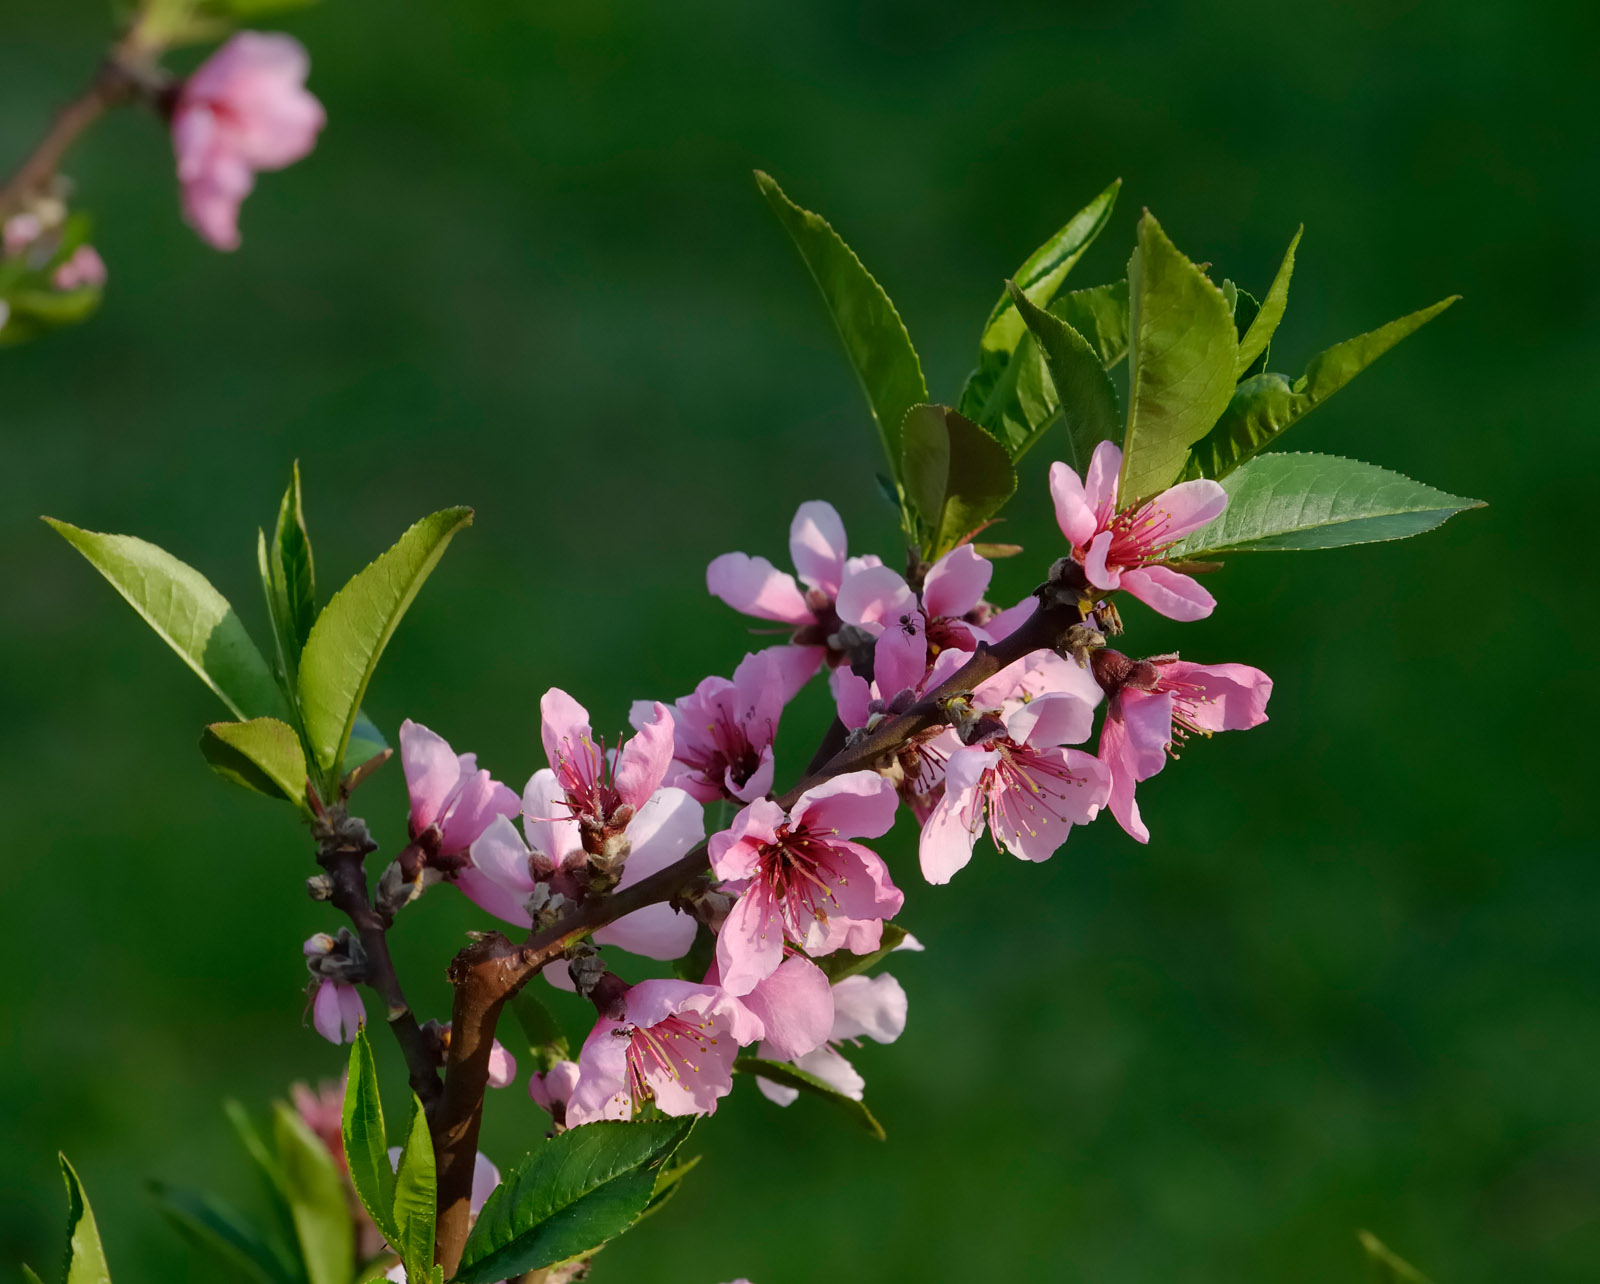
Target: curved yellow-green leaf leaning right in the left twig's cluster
<point>350,636</point>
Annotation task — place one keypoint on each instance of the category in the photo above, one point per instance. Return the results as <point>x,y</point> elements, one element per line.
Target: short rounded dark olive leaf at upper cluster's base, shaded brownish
<point>958,476</point>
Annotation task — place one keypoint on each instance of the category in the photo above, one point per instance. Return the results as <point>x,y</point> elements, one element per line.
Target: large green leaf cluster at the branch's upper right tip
<point>1201,399</point>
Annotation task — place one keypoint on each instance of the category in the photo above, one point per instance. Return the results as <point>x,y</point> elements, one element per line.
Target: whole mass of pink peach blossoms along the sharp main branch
<point>794,886</point>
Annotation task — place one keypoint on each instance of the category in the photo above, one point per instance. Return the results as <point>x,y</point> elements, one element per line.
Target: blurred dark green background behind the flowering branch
<point>1354,979</point>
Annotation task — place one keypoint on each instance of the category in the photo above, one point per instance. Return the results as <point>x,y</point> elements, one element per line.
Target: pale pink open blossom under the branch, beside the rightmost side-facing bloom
<point>1023,782</point>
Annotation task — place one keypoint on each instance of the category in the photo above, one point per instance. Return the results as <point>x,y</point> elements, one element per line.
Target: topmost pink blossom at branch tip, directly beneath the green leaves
<point>1126,550</point>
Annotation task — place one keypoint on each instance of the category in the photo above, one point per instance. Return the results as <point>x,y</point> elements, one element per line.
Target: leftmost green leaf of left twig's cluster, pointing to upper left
<point>188,614</point>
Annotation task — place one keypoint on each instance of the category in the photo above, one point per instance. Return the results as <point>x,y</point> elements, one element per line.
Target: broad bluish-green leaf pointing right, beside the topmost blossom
<point>1318,502</point>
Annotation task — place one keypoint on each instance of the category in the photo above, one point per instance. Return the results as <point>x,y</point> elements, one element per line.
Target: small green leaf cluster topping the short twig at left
<point>297,718</point>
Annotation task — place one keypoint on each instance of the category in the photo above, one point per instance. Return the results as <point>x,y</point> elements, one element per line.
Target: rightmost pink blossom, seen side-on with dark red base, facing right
<point>1154,705</point>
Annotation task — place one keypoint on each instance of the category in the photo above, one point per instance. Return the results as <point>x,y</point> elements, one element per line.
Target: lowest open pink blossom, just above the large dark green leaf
<point>674,1046</point>
